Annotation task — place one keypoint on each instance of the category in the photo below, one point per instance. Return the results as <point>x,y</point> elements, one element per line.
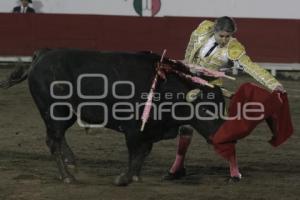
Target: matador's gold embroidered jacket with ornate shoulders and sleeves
<point>234,51</point>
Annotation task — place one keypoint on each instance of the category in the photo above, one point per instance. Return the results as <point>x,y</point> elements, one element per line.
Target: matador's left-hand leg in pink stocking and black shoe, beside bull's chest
<point>184,139</point>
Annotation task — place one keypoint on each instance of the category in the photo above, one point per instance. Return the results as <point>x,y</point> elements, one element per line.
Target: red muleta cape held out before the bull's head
<point>276,113</point>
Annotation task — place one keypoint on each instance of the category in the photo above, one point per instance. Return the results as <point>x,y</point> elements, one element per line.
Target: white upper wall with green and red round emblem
<point>283,9</point>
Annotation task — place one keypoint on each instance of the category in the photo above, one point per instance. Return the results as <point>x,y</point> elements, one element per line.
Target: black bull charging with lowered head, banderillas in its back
<point>110,88</point>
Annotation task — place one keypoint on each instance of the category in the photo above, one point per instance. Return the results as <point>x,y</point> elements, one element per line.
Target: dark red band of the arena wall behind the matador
<point>266,40</point>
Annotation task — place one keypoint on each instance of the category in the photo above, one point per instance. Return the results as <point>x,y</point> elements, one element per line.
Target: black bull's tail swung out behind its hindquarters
<point>21,72</point>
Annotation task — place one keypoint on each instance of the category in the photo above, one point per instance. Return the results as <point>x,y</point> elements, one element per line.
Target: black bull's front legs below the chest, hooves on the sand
<point>137,154</point>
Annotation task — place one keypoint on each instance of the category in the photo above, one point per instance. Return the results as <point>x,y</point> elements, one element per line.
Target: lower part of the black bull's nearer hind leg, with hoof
<point>54,142</point>
